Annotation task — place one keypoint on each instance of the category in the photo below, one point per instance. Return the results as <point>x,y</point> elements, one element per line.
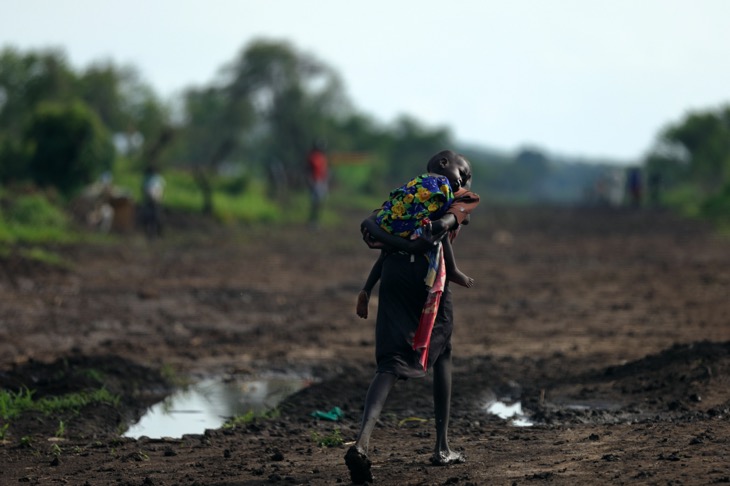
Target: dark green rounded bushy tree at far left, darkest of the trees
<point>67,146</point>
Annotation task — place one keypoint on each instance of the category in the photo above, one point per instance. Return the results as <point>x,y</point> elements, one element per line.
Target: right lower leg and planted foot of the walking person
<point>442,454</point>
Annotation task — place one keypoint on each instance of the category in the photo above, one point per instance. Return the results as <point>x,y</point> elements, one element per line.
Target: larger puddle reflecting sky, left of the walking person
<point>208,404</point>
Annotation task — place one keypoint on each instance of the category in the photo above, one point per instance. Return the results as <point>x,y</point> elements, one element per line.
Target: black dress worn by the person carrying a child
<point>400,302</point>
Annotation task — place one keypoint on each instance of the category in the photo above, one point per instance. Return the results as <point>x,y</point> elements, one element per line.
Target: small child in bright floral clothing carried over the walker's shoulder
<point>418,209</point>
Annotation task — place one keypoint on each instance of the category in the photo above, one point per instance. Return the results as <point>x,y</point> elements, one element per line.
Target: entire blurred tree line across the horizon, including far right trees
<point>62,127</point>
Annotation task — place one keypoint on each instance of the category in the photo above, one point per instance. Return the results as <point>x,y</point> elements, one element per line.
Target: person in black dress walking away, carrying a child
<point>402,348</point>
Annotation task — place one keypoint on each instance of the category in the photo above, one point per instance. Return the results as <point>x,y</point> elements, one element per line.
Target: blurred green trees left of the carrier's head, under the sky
<point>62,128</point>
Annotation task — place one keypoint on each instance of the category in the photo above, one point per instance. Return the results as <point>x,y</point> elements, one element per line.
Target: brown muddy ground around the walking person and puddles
<point>610,327</point>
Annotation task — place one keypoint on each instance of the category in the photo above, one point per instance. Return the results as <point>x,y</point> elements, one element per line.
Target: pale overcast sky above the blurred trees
<point>572,77</point>
